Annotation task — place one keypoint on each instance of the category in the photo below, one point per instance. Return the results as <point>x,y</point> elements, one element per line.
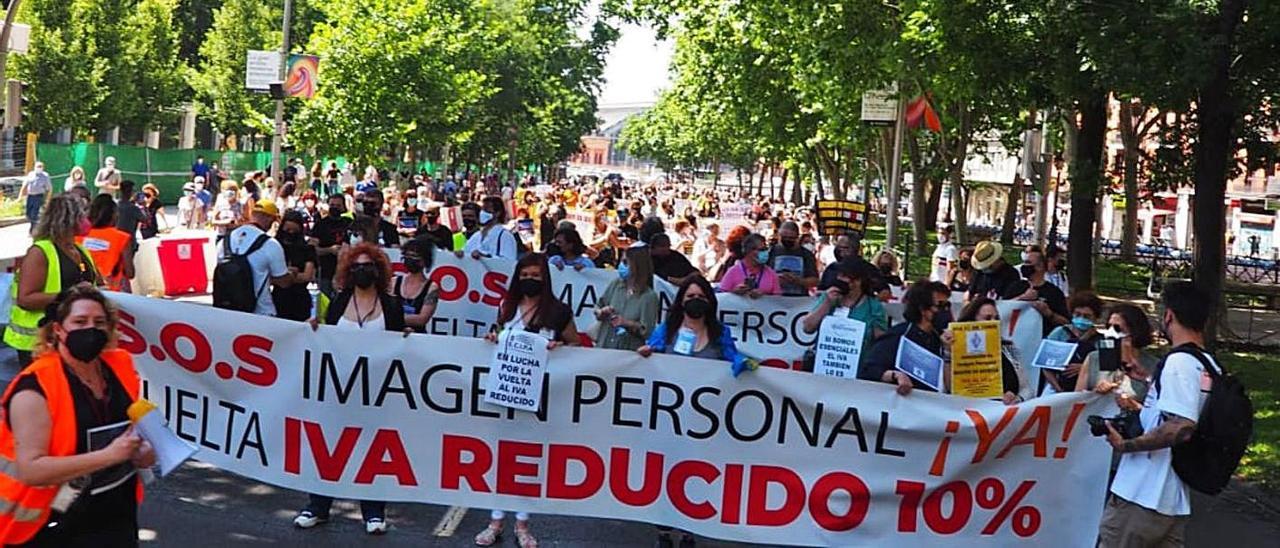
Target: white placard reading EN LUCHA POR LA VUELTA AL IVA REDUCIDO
<point>518,371</point>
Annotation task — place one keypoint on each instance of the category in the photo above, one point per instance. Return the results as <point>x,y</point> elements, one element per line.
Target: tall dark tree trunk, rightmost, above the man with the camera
<point>1214,147</point>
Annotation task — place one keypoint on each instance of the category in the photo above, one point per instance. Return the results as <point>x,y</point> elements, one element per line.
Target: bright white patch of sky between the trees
<point>637,67</point>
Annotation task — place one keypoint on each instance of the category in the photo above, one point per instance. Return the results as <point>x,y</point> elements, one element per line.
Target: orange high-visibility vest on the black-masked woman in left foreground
<point>26,509</point>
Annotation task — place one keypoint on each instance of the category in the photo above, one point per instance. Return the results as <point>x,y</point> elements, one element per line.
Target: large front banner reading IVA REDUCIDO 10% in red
<point>772,456</point>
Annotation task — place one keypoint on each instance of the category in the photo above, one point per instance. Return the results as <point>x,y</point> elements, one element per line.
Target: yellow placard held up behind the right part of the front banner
<point>976,371</point>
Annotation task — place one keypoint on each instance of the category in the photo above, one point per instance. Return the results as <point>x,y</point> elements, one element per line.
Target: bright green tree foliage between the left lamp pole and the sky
<point>493,80</point>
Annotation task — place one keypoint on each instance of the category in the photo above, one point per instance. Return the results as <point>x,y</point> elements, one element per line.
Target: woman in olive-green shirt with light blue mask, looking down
<point>629,308</point>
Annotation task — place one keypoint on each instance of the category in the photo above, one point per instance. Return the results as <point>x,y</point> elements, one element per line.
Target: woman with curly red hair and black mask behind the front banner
<point>362,304</point>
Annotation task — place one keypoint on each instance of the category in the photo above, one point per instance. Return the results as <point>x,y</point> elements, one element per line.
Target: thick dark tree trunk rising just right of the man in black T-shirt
<point>1086,177</point>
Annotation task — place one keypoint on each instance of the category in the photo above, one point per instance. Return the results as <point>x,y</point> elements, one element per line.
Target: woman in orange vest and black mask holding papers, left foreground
<point>68,460</point>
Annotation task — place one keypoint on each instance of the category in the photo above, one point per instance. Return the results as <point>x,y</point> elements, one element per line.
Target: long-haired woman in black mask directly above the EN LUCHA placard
<point>529,305</point>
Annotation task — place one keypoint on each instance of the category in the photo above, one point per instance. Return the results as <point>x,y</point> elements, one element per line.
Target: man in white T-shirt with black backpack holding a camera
<point>1196,424</point>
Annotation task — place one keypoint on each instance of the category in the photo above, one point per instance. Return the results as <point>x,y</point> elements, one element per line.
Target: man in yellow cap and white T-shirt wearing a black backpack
<point>250,262</point>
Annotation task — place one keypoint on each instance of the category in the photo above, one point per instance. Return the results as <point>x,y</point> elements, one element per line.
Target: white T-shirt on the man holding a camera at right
<point>1149,479</point>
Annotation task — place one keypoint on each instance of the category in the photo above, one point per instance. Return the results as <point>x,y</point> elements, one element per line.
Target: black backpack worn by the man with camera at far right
<point>1223,432</point>
